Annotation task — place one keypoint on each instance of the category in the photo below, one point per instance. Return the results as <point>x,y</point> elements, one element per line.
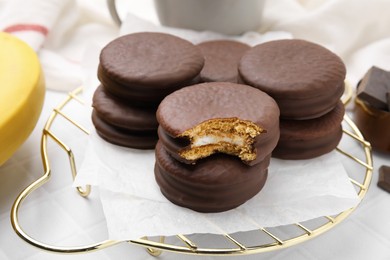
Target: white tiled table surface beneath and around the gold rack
<point>56,214</point>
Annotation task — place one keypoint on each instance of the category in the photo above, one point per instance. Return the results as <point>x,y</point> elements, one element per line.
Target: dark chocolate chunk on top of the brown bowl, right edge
<point>373,88</point>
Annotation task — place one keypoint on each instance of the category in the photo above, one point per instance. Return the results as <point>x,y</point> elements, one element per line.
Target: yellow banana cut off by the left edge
<point>22,91</point>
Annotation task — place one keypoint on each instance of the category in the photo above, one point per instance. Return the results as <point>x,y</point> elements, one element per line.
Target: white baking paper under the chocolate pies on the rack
<point>295,191</point>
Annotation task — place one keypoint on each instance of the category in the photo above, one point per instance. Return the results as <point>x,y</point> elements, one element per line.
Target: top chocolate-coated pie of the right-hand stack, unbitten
<point>304,78</point>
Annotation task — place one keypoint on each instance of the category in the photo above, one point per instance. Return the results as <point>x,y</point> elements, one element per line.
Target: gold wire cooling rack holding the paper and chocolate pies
<point>272,238</point>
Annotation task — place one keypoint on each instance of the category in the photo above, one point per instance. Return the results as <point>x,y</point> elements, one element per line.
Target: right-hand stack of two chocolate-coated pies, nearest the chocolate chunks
<point>307,81</point>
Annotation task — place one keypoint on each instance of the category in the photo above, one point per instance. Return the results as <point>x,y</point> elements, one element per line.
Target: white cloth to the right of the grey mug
<point>357,30</point>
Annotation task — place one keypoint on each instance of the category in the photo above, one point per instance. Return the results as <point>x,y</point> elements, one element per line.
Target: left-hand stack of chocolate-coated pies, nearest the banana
<point>136,72</point>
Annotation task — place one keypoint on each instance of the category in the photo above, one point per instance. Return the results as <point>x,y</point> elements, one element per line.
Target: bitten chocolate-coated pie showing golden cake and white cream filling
<point>194,108</point>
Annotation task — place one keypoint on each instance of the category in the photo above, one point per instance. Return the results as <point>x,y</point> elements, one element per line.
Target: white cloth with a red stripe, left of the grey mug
<point>62,32</point>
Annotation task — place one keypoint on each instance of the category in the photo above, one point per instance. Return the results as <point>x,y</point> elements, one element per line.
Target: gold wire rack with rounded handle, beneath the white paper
<point>188,247</point>
